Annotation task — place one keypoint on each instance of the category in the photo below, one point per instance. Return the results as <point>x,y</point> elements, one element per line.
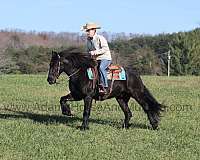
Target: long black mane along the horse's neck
<point>78,58</point>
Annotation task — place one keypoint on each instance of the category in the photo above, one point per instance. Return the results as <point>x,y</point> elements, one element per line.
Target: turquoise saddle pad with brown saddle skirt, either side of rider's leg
<point>114,74</point>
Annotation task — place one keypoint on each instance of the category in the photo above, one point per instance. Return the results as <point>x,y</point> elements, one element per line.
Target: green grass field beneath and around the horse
<point>32,127</point>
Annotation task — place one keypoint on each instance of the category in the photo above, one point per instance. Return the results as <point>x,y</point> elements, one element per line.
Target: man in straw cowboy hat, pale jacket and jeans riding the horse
<point>98,47</point>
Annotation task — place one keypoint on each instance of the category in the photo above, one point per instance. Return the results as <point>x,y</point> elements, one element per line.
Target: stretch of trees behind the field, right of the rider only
<point>148,54</point>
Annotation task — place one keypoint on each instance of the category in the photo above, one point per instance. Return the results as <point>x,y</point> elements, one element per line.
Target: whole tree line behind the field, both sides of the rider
<point>145,53</point>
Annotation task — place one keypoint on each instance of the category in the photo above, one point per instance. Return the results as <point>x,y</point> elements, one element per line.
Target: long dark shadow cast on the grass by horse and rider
<point>61,119</point>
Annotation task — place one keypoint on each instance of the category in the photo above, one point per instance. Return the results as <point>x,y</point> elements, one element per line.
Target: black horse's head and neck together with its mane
<point>69,61</point>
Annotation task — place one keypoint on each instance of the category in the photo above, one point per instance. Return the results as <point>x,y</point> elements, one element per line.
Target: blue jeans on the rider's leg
<point>103,73</point>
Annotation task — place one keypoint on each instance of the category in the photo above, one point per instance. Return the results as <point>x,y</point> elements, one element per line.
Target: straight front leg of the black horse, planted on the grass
<point>86,112</point>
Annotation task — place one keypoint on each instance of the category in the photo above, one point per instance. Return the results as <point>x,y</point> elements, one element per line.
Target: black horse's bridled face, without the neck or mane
<point>55,68</point>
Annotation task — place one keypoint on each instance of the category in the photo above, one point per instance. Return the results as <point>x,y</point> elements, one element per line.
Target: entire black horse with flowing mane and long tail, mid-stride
<point>75,65</point>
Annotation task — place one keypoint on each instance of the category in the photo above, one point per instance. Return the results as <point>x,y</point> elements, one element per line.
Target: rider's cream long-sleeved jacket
<point>99,45</point>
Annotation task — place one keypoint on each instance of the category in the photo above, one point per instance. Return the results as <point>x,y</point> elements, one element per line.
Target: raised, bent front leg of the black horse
<point>65,105</point>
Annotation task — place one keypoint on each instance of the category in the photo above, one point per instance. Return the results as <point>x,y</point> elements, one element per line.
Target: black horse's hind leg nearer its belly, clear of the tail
<point>123,103</point>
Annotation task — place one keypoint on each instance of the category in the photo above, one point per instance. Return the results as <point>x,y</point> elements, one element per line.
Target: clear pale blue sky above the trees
<point>130,16</point>
